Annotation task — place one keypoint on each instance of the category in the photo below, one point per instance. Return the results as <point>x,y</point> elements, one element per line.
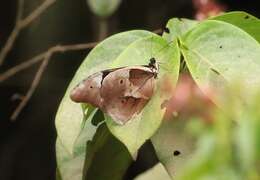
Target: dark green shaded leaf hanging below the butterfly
<point>106,157</point>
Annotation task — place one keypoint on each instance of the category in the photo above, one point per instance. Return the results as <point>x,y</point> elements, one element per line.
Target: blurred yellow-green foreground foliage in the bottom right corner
<point>228,147</point>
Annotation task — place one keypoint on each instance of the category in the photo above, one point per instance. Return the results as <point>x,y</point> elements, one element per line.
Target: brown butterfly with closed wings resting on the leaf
<point>122,93</point>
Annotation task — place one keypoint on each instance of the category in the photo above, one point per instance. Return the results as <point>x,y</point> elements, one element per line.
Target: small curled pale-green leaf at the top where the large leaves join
<point>178,27</point>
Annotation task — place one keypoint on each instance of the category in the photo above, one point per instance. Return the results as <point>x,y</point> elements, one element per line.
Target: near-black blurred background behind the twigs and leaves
<point>27,146</point>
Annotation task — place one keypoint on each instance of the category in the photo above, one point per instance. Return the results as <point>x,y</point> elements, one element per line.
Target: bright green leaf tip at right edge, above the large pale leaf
<point>243,20</point>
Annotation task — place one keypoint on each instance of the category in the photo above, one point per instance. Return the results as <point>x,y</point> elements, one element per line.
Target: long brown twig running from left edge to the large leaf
<point>59,48</point>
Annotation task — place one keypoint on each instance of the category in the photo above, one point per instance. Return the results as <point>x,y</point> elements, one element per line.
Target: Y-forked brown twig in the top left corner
<point>22,23</point>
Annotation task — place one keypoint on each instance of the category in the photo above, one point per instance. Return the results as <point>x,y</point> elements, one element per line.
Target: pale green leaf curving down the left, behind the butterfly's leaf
<point>69,117</point>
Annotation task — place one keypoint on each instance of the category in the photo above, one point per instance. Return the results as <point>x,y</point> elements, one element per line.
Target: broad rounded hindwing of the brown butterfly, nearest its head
<point>126,91</point>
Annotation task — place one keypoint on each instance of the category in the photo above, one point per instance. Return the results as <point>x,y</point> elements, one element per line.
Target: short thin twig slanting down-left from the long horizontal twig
<point>34,85</point>
